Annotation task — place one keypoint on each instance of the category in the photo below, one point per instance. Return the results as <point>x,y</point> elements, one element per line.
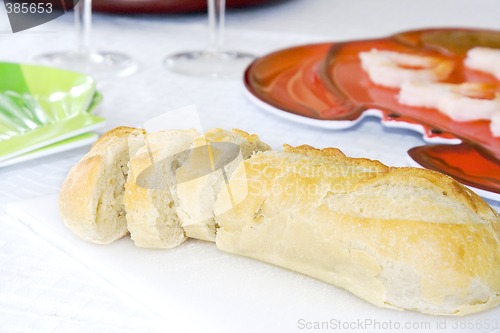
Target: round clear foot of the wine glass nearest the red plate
<point>209,64</point>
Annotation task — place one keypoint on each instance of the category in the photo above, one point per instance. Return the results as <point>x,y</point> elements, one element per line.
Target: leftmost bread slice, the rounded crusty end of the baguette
<point>90,200</point>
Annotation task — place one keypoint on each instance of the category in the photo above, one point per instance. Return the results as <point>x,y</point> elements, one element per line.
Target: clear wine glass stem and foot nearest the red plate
<point>213,61</point>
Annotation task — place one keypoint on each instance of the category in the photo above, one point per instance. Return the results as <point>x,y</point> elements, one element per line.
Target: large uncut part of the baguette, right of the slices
<point>401,238</point>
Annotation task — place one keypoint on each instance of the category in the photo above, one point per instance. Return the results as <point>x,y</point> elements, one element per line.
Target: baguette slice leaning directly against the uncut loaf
<point>213,158</point>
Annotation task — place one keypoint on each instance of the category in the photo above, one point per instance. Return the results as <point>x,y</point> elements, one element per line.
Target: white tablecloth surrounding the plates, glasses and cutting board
<point>44,290</point>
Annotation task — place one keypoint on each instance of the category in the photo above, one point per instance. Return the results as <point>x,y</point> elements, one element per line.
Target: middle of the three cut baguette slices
<point>151,216</point>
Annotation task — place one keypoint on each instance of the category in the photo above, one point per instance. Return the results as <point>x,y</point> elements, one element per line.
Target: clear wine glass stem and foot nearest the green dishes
<point>84,59</point>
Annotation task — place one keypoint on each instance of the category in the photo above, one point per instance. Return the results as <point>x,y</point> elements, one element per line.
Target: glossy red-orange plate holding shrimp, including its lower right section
<point>324,85</point>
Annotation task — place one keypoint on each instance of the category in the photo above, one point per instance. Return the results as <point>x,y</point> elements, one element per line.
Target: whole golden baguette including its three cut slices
<point>401,238</point>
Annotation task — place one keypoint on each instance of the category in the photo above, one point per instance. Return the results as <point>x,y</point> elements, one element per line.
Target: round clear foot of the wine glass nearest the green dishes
<point>98,64</point>
